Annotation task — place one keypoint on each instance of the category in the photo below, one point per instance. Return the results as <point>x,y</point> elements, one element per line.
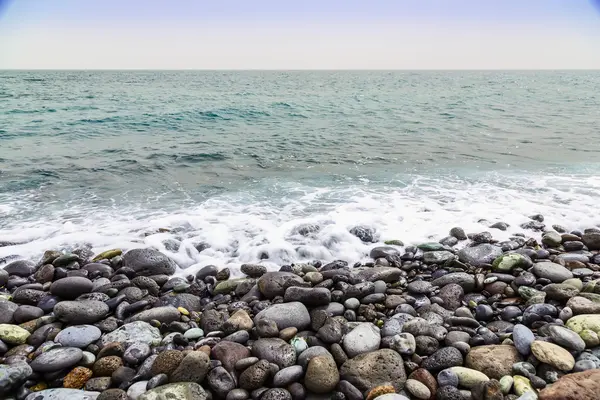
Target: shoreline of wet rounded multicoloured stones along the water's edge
<point>492,321</point>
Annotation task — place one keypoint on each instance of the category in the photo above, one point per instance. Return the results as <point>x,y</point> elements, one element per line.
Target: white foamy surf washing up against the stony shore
<point>241,227</point>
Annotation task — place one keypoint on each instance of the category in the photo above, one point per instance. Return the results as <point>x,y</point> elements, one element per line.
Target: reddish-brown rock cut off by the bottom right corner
<point>579,386</point>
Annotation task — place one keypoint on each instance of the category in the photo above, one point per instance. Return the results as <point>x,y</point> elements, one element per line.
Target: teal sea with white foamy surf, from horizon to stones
<point>239,161</point>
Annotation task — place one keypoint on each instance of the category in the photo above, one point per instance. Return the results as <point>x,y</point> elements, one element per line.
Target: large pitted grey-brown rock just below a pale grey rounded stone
<point>369,370</point>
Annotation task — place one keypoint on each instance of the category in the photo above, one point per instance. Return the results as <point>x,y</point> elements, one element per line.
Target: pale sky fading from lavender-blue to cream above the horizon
<point>301,34</point>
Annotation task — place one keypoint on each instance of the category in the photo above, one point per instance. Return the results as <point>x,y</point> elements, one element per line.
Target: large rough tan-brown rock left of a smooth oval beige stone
<point>495,361</point>
